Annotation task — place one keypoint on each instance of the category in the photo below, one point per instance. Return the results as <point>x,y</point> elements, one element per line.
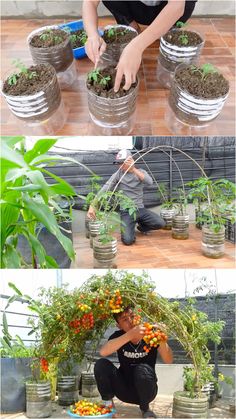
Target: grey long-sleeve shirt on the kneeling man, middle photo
<point>130,185</point>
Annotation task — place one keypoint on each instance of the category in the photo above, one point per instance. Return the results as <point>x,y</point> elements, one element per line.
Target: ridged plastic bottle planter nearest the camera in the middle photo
<point>104,254</point>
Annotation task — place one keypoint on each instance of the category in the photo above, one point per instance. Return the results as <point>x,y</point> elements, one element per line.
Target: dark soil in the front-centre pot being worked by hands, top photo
<point>108,89</point>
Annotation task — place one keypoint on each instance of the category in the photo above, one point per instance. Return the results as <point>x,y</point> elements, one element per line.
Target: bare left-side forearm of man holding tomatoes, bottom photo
<point>113,345</point>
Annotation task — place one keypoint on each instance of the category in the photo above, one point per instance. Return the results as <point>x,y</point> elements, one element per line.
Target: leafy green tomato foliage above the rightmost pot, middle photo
<point>214,199</point>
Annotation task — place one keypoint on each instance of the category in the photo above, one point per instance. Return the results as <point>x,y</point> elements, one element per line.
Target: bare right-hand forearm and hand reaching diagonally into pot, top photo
<point>131,57</point>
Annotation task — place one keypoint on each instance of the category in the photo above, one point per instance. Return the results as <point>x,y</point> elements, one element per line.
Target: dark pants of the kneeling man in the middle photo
<point>146,219</point>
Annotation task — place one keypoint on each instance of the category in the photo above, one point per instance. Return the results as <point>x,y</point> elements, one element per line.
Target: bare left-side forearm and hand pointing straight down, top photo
<point>95,45</point>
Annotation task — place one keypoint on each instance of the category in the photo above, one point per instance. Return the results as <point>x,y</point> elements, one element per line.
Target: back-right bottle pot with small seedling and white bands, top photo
<point>178,45</point>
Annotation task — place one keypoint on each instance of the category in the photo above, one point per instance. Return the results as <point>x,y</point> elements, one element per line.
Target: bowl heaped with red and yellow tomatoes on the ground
<point>87,409</point>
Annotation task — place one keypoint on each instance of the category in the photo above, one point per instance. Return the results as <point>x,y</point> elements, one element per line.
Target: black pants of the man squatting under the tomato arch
<point>140,388</point>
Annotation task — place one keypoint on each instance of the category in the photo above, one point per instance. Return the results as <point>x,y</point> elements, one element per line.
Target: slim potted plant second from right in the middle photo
<point>180,221</point>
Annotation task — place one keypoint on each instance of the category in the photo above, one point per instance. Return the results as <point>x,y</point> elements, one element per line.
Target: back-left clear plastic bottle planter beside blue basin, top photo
<point>59,56</point>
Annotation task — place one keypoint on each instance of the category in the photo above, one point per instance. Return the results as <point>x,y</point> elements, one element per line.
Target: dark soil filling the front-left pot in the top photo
<point>29,86</point>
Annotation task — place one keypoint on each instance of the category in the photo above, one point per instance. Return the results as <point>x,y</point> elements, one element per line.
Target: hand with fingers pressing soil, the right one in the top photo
<point>128,65</point>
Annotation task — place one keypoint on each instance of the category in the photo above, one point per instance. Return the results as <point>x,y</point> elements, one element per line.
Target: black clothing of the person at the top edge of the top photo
<point>126,11</point>
